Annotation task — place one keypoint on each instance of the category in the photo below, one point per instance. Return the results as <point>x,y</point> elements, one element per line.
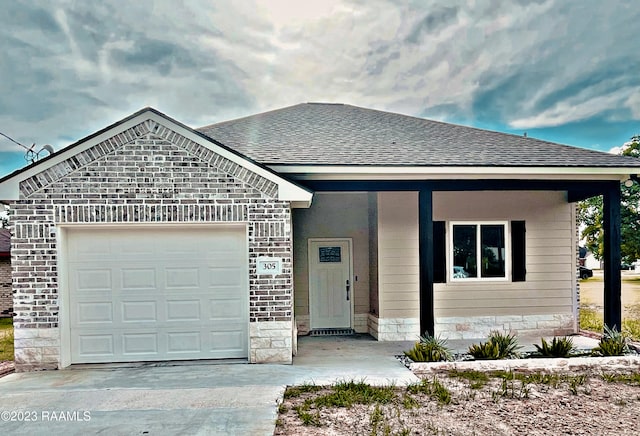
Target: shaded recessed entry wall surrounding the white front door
<point>332,215</point>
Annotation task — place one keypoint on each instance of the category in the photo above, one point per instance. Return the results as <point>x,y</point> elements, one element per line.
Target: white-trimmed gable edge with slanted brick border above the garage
<point>149,123</point>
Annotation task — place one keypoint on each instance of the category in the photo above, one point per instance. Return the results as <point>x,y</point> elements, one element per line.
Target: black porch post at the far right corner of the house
<point>612,257</point>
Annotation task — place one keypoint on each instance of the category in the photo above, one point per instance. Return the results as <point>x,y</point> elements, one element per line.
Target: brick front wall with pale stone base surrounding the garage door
<point>146,174</point>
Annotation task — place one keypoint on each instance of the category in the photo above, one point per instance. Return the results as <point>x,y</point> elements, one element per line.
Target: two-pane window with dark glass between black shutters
<point>478,251</point>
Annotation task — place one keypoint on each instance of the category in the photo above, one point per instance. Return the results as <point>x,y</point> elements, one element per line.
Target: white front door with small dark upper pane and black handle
<point>330,287</point>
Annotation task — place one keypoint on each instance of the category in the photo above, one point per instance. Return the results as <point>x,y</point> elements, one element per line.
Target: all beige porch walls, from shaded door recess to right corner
<point>386,254</point>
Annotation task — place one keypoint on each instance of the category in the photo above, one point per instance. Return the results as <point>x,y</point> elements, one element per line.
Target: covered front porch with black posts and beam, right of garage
<point>403,280</point>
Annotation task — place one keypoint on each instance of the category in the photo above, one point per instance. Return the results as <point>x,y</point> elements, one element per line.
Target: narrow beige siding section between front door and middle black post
<point>398,267</point>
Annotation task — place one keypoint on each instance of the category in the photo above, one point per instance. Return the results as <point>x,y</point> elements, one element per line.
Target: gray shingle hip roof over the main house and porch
<point>338,134</point>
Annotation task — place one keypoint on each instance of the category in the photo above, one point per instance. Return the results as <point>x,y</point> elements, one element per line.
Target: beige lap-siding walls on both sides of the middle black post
<point>546,301</point>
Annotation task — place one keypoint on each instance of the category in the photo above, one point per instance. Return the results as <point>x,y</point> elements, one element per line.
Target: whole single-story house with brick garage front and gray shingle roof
<point>150,240</point>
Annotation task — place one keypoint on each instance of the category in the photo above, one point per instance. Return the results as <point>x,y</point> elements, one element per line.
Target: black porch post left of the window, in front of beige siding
<point>425,235</point>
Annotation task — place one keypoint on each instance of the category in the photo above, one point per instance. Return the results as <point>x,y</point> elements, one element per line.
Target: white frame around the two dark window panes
<point>479,224</point>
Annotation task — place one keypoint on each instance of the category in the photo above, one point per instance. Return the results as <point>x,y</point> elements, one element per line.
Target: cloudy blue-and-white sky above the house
<point>565,71</point>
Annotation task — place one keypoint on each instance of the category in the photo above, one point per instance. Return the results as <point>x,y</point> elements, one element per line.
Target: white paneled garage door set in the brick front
<point>157,294</point>
